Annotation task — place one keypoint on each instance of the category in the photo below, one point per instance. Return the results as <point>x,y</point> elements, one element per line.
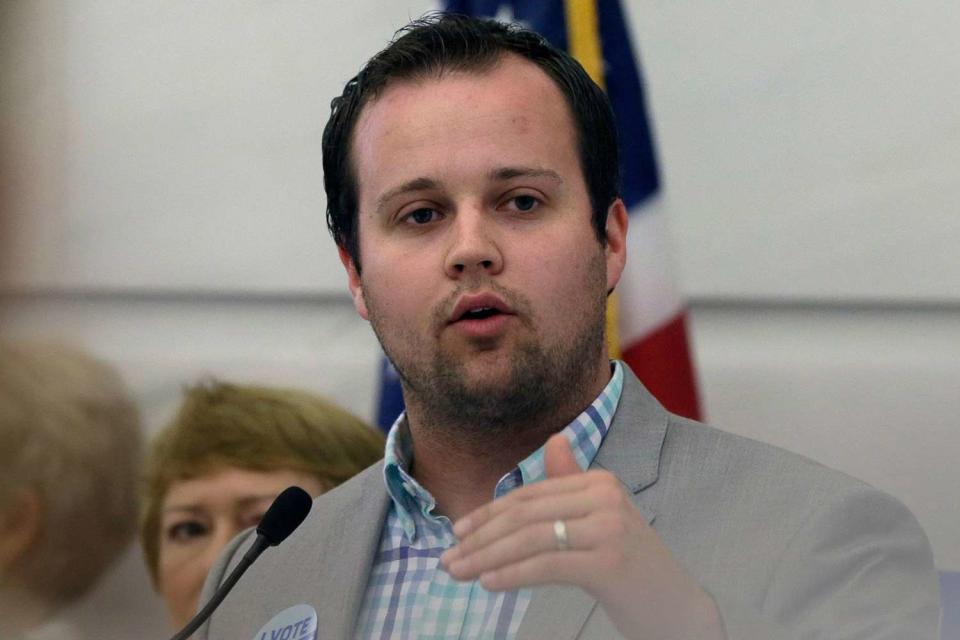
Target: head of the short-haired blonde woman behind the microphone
<point>213,471</point>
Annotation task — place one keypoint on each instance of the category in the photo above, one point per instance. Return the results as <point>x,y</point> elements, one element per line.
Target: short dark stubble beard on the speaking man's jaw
<point>541,381</point>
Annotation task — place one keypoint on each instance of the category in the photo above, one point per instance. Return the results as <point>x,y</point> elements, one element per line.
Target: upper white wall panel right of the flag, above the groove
<point>811,149</point>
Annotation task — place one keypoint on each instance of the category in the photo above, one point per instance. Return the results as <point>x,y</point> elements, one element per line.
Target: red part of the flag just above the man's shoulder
<point>663,362</point>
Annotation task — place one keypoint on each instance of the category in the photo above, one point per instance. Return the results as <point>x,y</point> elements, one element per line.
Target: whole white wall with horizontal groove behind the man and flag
<point>163,202</point>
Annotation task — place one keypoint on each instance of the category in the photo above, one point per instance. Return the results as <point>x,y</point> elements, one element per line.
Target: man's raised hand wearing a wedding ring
<point>609,550</point>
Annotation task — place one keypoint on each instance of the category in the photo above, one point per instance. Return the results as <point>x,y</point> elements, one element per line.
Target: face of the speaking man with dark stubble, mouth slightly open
<point>481,271</point>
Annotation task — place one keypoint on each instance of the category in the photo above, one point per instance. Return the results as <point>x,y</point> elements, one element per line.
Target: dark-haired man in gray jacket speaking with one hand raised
<point>471,181</point>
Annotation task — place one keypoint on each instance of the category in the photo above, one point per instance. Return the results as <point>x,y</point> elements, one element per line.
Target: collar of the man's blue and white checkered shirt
<point>585,434</point>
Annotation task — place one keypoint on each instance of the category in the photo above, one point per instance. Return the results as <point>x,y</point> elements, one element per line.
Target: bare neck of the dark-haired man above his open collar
<point>462,472</point>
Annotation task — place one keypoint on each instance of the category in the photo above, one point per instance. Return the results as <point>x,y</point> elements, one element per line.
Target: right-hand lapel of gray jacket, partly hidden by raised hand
<point>631,451</point>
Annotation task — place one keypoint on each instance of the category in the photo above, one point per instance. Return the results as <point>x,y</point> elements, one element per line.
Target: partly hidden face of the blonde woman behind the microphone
<point>200,516</point>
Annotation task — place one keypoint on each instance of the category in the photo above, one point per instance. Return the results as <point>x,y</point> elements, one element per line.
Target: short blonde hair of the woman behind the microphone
<point>221,425</point>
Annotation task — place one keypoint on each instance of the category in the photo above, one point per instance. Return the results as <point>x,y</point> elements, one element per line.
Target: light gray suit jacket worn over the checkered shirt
<point>787,548</point>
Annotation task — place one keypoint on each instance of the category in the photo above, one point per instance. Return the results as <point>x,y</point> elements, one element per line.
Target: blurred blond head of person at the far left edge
<point>69,457</point>
